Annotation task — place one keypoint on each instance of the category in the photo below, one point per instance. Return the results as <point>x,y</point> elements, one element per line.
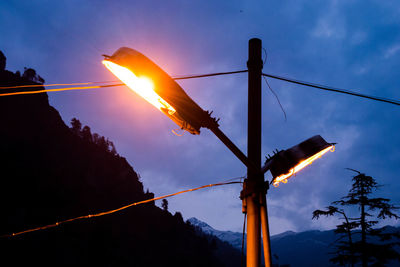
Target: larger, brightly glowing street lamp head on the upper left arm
<point>148,80</point>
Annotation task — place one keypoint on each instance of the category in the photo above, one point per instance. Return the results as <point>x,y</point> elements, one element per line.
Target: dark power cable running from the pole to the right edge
<point>332,89</point>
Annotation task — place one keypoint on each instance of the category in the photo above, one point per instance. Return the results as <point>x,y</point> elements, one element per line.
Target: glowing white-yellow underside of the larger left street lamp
<point>141,85</point>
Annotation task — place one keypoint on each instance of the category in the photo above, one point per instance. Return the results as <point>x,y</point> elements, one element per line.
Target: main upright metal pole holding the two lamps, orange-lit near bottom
<point>254,178</point>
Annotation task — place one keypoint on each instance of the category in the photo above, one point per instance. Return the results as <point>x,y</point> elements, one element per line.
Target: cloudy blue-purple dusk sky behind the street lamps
<point>346,44</point>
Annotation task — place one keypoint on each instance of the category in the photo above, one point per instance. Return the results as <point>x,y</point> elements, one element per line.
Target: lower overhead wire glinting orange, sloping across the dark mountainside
<point>117,209</point>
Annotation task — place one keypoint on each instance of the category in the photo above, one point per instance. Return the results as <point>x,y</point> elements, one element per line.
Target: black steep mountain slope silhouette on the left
<point>51,172</point>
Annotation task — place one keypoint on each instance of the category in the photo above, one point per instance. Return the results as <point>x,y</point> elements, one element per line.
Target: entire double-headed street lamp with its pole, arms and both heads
<point>148,80</point>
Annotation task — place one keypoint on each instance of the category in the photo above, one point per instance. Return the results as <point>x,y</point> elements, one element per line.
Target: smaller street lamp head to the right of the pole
<point>288,162</point>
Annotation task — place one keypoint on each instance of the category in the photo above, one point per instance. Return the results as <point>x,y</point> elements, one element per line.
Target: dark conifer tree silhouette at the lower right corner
<point>372,246</point>
